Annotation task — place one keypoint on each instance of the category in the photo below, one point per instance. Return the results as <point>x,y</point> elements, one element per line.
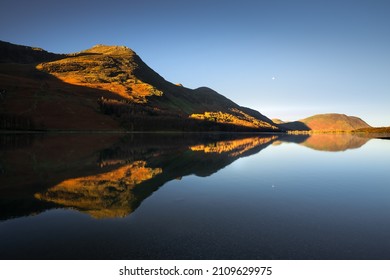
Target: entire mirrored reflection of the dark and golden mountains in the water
<point>108,176</point>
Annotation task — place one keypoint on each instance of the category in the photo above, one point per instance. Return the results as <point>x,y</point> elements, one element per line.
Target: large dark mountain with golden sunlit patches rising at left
<point>108,88</point>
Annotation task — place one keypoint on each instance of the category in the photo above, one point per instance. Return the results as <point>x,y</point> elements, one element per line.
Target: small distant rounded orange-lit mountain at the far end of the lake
<point>326,122</point>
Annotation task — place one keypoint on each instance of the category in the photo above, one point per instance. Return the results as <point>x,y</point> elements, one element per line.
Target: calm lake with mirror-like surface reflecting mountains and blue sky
<point>194,196</point>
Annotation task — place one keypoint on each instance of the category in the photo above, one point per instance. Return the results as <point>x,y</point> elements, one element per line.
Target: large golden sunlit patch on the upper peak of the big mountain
<point>105,68</point>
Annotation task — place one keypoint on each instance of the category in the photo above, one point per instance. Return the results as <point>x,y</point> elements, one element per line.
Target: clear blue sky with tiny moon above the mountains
<point>286,59</point>
